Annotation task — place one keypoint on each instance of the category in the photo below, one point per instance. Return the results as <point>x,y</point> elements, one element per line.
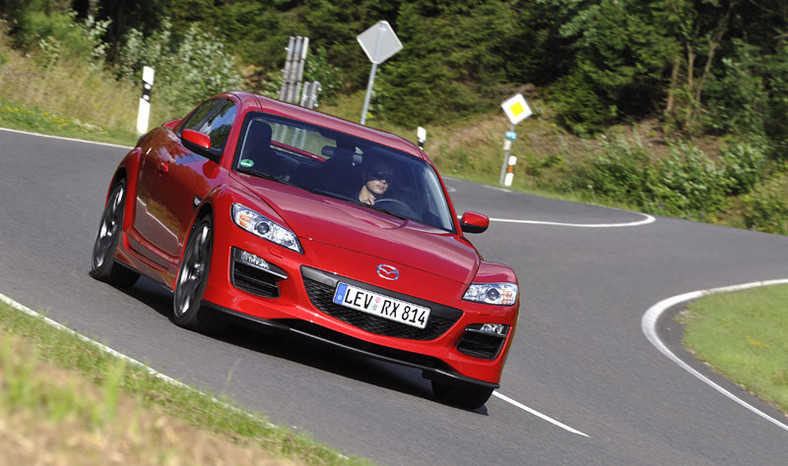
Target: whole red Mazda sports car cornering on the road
<point>298,220</point>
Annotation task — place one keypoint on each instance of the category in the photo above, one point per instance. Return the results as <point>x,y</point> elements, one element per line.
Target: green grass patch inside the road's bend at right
<point>744,336</point>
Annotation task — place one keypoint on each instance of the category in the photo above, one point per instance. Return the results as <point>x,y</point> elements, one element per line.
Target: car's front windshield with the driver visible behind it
<point>343,166</point>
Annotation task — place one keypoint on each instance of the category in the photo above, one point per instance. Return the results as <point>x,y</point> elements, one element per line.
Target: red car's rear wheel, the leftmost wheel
<point>103,265</point>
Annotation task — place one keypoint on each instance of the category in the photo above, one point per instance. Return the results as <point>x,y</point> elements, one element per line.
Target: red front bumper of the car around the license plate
<point>297,298</point>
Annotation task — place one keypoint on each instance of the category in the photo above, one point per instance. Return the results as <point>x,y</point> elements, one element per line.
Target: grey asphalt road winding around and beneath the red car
<point>583,385</point>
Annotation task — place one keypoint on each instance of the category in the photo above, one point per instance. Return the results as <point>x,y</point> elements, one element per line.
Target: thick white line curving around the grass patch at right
<point>649,328</point>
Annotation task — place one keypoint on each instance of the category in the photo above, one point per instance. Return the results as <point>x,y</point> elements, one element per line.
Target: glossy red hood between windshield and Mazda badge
<point>361,230</point>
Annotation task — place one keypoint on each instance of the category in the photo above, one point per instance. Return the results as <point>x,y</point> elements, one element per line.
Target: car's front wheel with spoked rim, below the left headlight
<point>187,310</point>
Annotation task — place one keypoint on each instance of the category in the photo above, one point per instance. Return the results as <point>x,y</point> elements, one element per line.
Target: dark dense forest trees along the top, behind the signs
<point>700,65</point>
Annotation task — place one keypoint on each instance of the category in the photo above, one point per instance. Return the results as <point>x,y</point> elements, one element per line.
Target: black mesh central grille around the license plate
<point>320,289</point>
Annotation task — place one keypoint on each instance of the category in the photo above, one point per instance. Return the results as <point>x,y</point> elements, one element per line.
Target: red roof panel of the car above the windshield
<point>250,102</point>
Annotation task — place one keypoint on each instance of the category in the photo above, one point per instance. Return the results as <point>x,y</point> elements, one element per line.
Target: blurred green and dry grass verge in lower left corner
<point>64,400</point>
